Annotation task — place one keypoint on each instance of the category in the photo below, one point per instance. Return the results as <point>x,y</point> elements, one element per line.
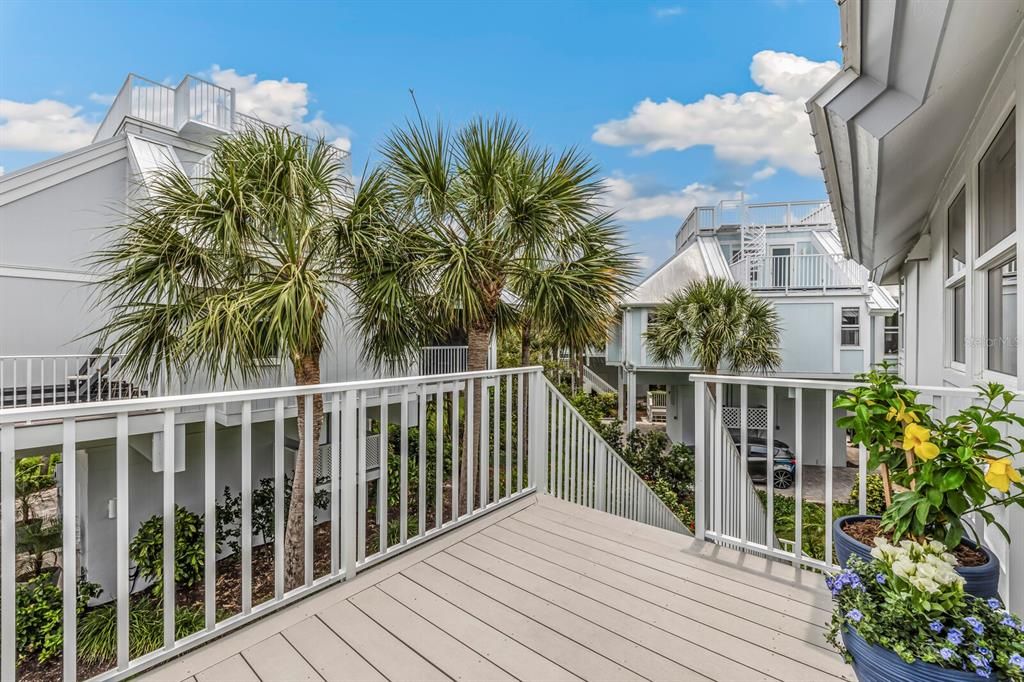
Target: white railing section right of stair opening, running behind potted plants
<point>722,479</point>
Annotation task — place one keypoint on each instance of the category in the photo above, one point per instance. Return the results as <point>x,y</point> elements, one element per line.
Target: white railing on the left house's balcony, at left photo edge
<point>41,380</point>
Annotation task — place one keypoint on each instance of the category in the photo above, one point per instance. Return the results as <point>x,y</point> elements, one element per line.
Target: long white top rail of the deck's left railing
<point>151,404</point>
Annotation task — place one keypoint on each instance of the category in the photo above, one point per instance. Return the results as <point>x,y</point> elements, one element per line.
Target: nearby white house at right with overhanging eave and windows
<point>917,138</point>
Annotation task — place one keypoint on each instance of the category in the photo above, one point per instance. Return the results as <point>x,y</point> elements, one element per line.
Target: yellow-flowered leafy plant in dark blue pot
<point>934,473</point>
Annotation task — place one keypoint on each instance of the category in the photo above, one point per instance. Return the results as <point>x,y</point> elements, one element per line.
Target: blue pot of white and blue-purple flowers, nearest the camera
<point>904,616</point>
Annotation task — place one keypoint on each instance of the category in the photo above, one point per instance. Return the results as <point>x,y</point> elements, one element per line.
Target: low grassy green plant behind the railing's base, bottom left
<point>98,631</point>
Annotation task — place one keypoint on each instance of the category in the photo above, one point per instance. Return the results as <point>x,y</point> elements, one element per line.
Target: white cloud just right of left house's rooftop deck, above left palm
<point>282,103</point>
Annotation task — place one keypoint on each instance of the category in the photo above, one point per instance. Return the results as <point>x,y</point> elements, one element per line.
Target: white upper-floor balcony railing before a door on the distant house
<point>805,272</point>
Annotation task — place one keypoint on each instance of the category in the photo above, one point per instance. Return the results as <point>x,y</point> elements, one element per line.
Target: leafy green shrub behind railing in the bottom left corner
<point>40,616</point>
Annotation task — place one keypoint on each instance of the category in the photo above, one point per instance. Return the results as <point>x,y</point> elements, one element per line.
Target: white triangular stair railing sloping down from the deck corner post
<point>583,468</point>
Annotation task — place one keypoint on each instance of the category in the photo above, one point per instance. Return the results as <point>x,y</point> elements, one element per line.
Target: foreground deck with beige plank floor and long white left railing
<point>556,562</point>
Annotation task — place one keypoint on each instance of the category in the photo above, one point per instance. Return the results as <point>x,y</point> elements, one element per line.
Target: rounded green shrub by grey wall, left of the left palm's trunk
<point>147,549</point>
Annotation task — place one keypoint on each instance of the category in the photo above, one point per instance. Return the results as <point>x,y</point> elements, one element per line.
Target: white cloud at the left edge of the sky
<point>47,125</point>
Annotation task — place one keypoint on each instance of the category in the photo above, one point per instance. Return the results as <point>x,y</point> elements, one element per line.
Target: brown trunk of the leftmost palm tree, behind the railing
<point>307,374</point>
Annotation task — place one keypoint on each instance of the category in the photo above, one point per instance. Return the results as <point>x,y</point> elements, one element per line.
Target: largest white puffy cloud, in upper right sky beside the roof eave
<point>770,125</point>
